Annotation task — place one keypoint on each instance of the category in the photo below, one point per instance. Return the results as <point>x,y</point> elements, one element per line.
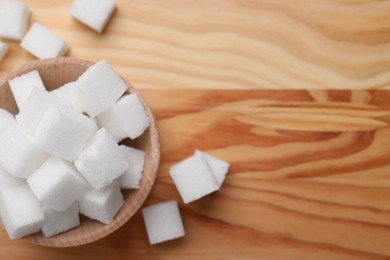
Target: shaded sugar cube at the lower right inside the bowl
<point>102,205</point>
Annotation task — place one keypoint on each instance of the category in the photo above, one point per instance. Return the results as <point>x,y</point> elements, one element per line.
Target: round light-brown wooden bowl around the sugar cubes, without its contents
<point>55,73</point>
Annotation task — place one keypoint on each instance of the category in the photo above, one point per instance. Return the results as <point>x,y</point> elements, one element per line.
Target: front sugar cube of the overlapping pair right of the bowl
<point>193,178</point>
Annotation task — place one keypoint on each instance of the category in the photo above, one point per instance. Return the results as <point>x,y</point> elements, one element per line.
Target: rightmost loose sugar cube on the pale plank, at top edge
<point>94,14</point>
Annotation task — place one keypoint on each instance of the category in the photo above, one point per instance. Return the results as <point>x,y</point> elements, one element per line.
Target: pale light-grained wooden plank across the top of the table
<point>231,44</point>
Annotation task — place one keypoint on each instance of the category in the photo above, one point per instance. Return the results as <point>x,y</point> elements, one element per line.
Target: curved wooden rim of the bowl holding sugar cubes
<point>119,220</point>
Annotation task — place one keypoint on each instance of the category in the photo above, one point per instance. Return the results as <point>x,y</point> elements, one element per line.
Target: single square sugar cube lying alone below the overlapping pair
<point>163,222</point>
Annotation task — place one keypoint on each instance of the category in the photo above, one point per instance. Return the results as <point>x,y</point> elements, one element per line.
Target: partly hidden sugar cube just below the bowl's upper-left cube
<point>35,107</point>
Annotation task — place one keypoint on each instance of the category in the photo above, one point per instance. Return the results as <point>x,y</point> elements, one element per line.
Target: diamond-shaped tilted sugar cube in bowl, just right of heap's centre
<point>102,160</point>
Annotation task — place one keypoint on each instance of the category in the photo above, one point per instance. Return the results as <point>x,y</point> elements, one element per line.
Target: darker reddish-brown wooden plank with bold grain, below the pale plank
<point>290,193</point>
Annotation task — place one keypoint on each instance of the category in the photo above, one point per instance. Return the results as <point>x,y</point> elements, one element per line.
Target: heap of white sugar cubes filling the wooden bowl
<point>59,156</point>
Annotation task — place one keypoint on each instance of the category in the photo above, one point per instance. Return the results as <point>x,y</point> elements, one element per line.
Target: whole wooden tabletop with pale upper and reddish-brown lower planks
<point>310,170</point>
